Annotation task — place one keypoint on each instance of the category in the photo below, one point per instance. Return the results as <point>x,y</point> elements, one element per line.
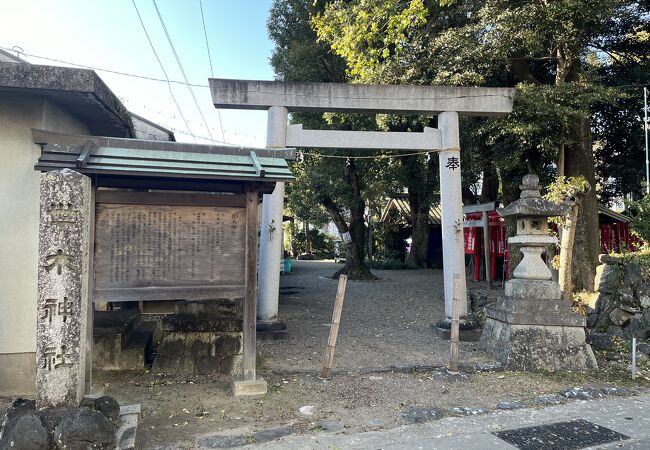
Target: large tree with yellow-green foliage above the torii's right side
<point>542,47</point>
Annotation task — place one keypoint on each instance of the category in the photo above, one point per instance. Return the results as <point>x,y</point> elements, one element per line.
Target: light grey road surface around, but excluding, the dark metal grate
<point>629,416</point>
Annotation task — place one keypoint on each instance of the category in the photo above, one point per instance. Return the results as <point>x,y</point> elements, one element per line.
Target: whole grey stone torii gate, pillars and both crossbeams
<point>280,98</point>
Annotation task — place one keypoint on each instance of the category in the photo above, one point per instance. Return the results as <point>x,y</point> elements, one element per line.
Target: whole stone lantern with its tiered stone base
<point>532,326</point>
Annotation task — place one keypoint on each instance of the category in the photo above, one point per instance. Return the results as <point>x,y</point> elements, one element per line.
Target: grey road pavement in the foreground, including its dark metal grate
<point>624,421</point>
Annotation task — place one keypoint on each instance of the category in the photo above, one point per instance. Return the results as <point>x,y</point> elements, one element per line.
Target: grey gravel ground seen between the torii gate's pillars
<point>384,322</point>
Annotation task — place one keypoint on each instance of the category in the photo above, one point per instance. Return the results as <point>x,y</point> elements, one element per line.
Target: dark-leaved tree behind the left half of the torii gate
<point>333,180</point>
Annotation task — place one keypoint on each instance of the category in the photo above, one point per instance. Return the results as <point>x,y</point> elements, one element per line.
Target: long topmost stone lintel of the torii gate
<point>333,97</point>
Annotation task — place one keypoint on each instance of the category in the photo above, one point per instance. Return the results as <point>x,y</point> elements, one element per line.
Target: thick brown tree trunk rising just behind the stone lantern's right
<point>579,160</point>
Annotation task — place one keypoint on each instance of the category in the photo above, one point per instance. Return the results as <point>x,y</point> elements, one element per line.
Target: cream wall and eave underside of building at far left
<point>19,206</point>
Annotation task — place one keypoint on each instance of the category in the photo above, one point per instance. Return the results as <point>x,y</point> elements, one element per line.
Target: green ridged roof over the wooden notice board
<point>160,159</point>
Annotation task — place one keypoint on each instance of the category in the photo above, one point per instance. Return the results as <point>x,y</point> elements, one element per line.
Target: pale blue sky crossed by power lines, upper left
<point>108,34</point>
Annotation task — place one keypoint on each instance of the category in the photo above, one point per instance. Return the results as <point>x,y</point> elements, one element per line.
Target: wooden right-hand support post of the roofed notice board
<point>250,299</point>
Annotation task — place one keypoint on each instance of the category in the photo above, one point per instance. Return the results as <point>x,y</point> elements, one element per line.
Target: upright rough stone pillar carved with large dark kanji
<point>63,297</point>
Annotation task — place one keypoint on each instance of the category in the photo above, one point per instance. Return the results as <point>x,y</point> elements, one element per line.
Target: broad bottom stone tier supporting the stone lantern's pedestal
<point>534,347</point>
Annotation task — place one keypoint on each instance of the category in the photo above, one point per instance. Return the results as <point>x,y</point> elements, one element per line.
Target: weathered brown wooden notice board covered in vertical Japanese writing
<point>148,249</point>
